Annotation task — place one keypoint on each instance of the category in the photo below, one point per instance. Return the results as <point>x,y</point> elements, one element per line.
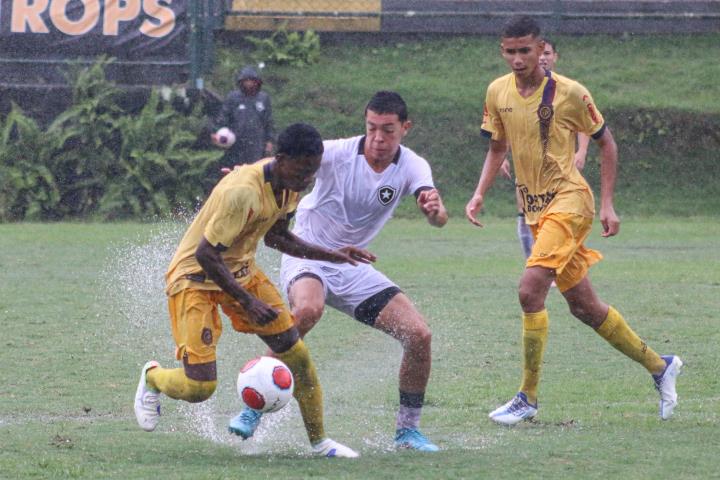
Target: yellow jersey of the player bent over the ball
<point>238,213</point>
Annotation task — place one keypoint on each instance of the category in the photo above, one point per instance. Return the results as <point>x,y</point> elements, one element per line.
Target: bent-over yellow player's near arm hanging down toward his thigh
<point>209,258</point>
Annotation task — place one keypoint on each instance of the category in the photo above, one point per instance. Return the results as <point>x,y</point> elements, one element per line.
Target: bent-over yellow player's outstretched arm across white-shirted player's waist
<point>281,238</point>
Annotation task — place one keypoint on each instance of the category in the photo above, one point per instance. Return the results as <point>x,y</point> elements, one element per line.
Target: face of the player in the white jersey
<point>383,134</point>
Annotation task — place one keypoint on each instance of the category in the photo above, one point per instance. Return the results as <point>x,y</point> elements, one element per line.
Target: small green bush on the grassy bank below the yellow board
<point>287,48</point>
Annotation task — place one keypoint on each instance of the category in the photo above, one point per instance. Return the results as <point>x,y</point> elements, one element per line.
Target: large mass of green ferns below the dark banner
<point>95,159</point>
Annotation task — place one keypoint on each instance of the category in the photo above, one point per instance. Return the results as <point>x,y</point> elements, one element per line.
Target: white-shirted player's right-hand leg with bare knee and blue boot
<point>400,319</point>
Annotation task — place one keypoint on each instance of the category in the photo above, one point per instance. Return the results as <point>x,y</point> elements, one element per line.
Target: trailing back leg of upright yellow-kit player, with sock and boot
<point>610,325</point>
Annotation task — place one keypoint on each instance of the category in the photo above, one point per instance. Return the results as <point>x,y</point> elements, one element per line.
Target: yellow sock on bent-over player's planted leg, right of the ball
<point>307,389</point>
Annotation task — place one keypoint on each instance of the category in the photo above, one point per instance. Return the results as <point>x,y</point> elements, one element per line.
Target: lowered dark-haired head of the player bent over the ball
<point>299,151</point>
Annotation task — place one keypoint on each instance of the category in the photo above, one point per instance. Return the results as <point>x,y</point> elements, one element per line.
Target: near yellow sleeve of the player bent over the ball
<point>235,209</point>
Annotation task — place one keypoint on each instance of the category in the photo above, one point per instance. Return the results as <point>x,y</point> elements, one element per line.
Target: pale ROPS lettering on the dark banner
<point>26,16</point>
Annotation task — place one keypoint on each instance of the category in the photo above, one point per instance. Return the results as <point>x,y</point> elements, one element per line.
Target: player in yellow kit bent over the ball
<point>214,266</point>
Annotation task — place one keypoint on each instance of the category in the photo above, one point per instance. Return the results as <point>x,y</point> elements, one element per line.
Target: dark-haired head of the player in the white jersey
<point>386,124</point>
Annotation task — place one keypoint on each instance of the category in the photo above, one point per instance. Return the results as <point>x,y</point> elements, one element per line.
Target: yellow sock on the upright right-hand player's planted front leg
<point>535,328</point>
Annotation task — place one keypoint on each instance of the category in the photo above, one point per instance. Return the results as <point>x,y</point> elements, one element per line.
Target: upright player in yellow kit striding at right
<point>537,113</point>
